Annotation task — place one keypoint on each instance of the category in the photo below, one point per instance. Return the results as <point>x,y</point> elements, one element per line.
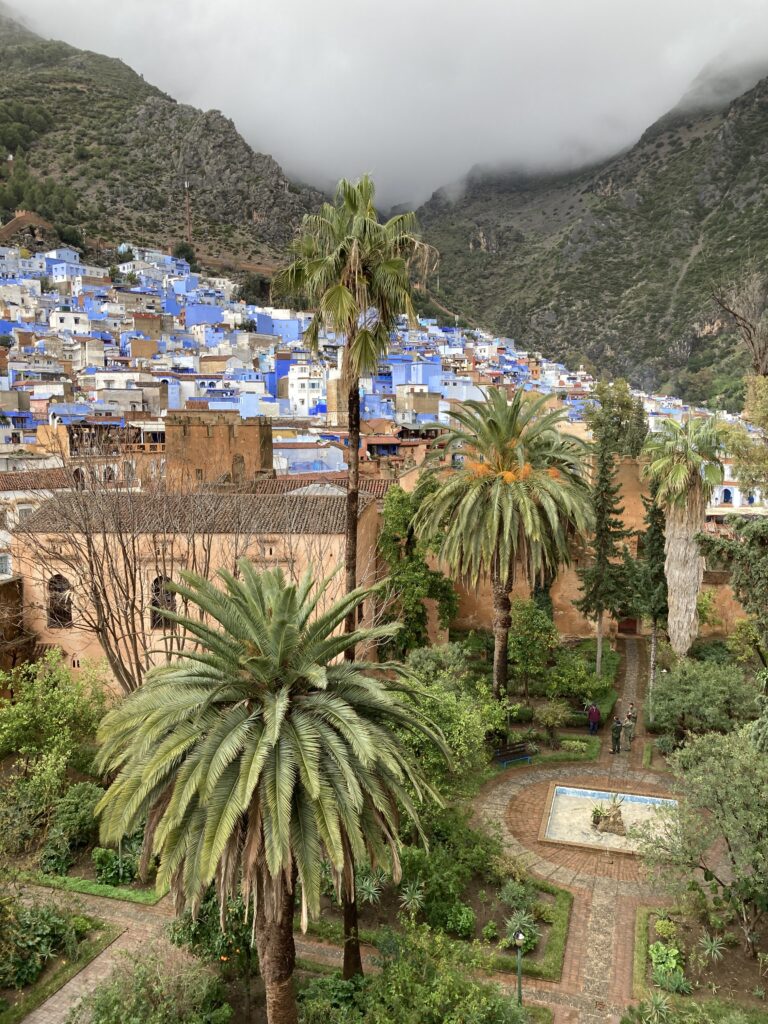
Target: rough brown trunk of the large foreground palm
<point>277,961</point>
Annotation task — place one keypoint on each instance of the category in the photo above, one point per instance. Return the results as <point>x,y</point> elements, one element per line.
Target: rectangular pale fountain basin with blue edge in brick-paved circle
<point>568,818</point>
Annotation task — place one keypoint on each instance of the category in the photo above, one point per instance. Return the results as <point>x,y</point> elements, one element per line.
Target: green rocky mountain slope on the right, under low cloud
<point>615,266</point>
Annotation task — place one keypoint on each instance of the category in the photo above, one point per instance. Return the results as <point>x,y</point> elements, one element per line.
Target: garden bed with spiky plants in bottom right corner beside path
<point>714,964</point>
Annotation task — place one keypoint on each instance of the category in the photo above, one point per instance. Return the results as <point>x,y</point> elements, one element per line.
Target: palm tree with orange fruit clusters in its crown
<point>520,494</point>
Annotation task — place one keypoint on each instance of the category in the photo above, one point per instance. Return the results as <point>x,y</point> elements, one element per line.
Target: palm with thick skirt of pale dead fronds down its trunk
<point>685,465</point>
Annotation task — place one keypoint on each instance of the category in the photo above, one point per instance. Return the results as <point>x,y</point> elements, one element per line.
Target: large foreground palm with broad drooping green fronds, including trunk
<point>261,754</point>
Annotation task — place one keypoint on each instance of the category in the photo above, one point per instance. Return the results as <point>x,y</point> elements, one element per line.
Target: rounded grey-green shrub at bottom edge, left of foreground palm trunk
<point>155,988</point>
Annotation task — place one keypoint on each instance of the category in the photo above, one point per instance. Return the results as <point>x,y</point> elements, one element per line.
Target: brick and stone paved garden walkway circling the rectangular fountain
<point>596,984</point>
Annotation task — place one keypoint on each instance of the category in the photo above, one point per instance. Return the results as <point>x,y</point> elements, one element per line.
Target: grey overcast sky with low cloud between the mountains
<point>417,92</point>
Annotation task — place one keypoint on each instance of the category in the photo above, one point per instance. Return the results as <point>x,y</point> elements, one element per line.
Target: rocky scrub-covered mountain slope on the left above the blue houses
<point>125,150</point>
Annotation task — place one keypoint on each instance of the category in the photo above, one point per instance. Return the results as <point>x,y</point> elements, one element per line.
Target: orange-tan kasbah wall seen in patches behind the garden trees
<point>476,609</point>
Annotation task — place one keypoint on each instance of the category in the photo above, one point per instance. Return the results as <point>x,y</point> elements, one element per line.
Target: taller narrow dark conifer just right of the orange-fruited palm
<point>605,580</point>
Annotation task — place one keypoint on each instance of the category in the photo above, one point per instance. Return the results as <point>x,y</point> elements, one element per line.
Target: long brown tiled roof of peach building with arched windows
<point>138,514</point>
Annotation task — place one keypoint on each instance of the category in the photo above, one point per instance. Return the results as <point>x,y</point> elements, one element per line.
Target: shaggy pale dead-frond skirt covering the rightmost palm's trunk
<point>685,570</point>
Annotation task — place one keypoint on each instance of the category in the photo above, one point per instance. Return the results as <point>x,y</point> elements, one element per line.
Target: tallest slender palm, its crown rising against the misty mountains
<point>356,273</point>
